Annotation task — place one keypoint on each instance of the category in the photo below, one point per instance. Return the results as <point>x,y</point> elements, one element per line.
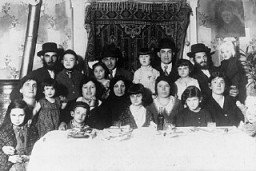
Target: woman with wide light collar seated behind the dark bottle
<point>166,103</point>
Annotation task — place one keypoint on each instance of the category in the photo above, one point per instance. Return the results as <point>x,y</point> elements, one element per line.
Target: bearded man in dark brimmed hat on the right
<point>203,68</point>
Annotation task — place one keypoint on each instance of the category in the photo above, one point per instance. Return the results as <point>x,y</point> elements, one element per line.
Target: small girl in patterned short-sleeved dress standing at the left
<point>48,108</point>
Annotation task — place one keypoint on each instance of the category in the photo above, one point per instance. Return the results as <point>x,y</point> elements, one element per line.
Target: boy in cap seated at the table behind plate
<point>79,113</point>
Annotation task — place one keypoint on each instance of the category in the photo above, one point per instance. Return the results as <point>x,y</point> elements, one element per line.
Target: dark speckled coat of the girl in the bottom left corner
<point>8,138</point>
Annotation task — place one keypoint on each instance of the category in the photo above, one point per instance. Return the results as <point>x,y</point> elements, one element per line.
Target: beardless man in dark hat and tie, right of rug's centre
<point>166,53</point>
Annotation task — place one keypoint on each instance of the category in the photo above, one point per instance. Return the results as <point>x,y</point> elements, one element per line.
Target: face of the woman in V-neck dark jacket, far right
<point>218,85</point>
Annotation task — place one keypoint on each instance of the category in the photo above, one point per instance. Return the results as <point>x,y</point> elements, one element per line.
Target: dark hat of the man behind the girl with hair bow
<point>110,50</point>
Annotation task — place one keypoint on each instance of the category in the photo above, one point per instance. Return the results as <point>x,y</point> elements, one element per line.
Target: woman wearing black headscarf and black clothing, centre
<point>118,99</point>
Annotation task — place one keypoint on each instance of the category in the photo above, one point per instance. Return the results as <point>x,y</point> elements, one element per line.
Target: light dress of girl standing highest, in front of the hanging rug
<point>147,77</point>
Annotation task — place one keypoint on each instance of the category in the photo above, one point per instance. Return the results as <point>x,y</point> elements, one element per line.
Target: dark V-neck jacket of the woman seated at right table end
<point>229,115</point>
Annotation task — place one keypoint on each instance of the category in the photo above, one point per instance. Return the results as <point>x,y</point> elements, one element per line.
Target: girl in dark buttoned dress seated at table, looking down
<point>193,114</point>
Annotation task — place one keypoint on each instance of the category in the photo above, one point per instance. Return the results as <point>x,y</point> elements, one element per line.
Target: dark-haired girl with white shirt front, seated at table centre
<point>136,115</point>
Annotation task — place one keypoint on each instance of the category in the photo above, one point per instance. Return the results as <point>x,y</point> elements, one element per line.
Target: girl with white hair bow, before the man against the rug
<point>101,73</point>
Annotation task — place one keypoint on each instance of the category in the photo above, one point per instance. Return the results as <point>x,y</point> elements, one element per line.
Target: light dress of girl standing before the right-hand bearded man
<point>182,85</point>
